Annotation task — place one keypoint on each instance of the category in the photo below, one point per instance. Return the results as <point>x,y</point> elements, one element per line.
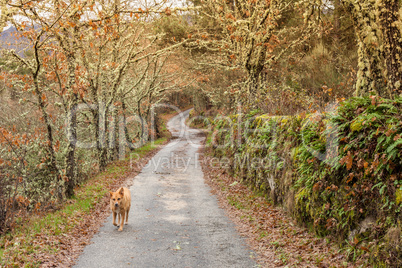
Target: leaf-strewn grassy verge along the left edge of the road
<point>56,238</point>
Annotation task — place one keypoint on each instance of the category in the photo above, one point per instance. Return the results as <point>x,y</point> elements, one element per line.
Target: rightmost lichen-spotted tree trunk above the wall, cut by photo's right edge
<point>389,19</point>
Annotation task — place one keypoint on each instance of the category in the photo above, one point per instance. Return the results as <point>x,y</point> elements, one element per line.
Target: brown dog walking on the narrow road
<point>120,203</point>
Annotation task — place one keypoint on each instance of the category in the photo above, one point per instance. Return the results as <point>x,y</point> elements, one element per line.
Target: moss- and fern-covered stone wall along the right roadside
<point>336,172</point>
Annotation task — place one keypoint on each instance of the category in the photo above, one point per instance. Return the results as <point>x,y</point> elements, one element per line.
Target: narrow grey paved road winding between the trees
<point>174,220</point>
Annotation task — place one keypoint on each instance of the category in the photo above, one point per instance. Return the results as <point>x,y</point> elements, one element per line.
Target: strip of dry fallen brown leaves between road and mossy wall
<point>269,231</point>
